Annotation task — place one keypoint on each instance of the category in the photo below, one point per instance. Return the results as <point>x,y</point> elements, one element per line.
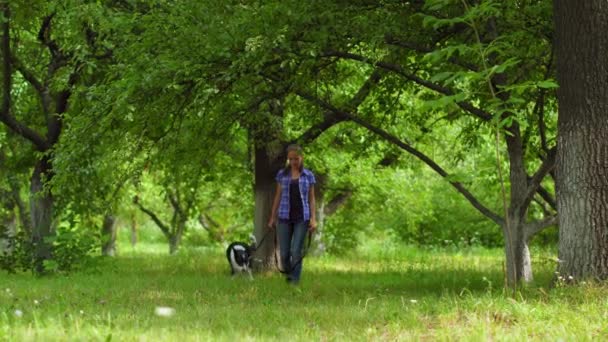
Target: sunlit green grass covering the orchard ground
<point>399,294</point>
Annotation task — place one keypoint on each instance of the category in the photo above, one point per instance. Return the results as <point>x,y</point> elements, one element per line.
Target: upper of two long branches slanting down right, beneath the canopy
<point>468,107</point>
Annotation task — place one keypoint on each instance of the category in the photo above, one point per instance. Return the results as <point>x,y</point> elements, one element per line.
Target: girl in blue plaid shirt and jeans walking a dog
<point>295,200</point>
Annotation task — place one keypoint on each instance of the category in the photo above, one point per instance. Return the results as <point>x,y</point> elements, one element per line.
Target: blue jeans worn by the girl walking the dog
<point>291,245</point>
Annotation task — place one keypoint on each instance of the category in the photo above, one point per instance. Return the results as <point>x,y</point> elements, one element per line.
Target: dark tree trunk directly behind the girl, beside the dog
<point>267,164</point>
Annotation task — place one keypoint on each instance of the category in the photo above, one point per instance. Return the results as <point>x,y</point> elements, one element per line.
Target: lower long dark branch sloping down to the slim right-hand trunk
<point>405,146</point>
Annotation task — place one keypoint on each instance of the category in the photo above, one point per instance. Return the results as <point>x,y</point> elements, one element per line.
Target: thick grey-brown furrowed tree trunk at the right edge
<point>582,157</point>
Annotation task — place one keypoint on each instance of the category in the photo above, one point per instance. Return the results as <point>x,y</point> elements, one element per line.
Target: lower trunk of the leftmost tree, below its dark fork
<point>41,211</point>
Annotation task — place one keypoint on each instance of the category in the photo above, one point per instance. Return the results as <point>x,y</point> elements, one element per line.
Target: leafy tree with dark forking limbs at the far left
<point>47,49</point>
